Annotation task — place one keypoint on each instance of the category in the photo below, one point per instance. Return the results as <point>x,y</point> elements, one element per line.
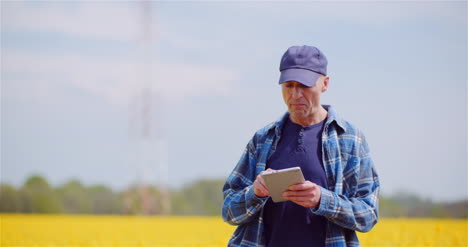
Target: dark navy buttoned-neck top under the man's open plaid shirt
<point>286,223</point>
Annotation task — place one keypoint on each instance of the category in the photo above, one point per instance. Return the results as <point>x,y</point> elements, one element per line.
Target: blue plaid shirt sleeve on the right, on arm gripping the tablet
<point>359,210</point>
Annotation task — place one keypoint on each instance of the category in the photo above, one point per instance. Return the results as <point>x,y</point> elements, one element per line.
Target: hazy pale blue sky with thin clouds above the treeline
<point>122,92</point>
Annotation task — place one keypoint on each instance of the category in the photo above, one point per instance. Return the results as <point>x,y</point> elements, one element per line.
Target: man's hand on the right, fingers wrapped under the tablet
<point>306,194</point>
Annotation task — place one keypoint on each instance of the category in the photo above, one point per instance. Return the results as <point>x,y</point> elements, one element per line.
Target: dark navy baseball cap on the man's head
<point>303,64</point>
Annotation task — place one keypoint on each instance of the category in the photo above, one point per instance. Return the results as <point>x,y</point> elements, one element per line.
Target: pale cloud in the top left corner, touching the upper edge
<point>122,21</point>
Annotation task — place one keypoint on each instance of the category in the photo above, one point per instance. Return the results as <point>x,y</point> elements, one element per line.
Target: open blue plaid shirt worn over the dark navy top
<point>350,203</point>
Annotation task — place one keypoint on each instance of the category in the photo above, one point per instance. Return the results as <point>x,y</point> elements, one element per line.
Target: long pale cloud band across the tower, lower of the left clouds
<point>116,79</point>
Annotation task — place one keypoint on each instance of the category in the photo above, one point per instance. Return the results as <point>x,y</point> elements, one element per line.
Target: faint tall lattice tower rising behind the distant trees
<point>146,132</point>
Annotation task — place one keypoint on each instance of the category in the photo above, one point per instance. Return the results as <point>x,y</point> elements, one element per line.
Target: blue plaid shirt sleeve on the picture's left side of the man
<point>241,205</point>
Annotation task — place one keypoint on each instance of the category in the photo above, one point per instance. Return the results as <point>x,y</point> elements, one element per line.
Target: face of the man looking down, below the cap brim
<point>302,101</point>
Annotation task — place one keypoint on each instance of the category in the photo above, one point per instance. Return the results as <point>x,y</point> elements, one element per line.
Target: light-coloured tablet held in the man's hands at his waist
<point>278,181</point>
